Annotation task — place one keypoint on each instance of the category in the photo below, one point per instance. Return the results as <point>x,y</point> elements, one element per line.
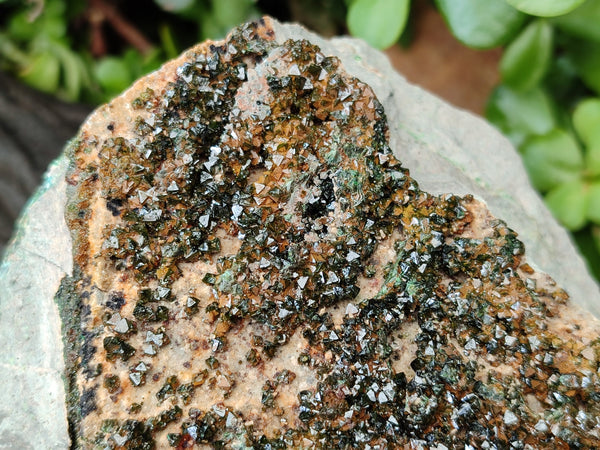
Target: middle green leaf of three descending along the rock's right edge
<point>552,159</point>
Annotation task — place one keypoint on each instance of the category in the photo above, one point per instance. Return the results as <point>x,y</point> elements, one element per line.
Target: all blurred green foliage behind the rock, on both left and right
<point>547,103</point>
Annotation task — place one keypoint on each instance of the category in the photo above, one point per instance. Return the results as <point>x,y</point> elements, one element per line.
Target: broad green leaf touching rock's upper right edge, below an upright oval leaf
<point>520,114</point>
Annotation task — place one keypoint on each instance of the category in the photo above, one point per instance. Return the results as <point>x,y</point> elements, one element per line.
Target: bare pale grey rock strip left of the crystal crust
<point>32,399</point>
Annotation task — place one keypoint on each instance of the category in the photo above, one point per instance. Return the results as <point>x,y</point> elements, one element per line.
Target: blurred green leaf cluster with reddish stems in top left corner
<point>48,43</point>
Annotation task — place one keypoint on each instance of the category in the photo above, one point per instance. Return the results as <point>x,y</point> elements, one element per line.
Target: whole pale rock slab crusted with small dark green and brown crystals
<point>253,266</point>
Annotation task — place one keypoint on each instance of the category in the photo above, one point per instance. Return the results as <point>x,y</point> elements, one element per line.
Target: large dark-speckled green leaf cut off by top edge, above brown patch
<point>481,23</point>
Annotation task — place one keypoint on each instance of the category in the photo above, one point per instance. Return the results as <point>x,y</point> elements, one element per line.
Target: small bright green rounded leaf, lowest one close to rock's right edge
<point>569,204</point>
